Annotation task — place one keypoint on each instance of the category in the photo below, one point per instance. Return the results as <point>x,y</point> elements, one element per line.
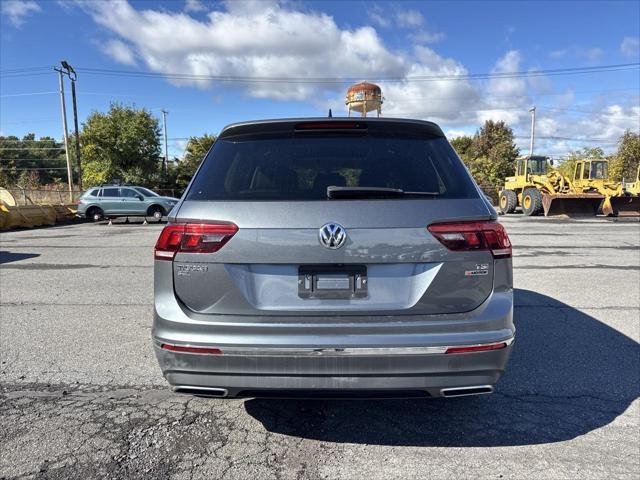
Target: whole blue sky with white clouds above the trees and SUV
<point>394,42</point>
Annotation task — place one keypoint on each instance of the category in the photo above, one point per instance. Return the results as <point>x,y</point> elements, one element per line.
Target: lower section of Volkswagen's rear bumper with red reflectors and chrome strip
<point>319,375</point>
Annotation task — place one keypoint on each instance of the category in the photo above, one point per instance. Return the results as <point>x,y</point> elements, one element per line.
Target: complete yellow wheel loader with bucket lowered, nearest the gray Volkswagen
<point>537,189</point>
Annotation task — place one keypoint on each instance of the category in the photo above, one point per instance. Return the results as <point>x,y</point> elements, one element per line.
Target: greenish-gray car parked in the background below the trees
<point>110,201</point>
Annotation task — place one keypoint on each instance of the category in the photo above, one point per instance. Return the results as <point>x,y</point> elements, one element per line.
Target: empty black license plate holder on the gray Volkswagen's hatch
<point>333,282</point>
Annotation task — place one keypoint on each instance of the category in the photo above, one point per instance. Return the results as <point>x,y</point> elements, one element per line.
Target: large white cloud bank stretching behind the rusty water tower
<point>273,39</point>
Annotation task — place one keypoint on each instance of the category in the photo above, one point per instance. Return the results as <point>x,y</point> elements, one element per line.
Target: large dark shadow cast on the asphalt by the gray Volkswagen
<point>568,374</point>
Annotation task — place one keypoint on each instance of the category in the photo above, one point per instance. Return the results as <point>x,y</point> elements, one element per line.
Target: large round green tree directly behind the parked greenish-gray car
<point>123,143</point>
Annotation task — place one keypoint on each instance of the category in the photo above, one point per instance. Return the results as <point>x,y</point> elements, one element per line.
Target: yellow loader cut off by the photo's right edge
<point>592,176</point>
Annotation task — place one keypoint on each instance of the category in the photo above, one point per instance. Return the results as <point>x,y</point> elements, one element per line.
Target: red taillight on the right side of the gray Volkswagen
<point>473,236</point>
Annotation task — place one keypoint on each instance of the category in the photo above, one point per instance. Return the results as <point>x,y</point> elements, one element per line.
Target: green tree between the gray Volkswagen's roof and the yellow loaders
<point>492,155</point>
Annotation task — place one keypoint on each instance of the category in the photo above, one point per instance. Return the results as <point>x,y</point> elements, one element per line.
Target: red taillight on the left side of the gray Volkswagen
<point>192,238</point>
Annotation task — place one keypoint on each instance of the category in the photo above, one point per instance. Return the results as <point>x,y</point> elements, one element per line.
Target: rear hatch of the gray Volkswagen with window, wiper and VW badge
<point>312,218</point>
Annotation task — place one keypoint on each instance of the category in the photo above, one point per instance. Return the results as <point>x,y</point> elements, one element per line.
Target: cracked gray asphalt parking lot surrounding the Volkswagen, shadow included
<point>81,394</point>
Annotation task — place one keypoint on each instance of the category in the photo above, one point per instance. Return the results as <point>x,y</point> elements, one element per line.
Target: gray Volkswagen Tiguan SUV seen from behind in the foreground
<point>333,257</point>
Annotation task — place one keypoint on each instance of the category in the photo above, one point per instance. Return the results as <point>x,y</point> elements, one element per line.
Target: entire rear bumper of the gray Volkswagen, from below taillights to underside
<point>264,354</point>
